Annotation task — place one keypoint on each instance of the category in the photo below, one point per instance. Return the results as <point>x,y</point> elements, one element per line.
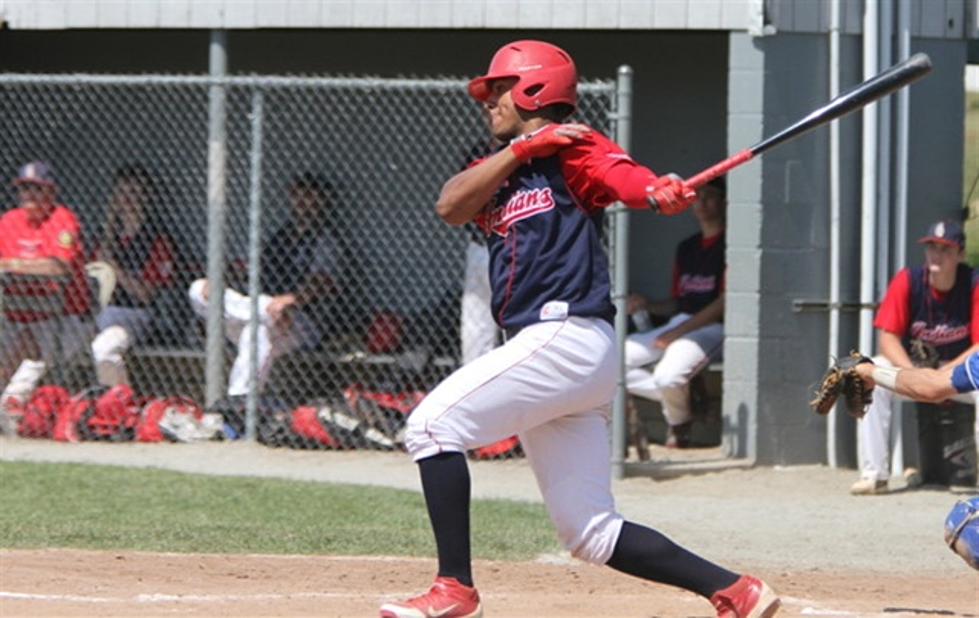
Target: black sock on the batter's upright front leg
<point>445,481</point>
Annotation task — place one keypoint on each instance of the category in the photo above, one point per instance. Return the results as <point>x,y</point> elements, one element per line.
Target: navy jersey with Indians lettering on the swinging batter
<point>546,256</point>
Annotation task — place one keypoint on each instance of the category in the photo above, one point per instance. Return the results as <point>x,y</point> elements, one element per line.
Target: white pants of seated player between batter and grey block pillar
<point>669,381</point>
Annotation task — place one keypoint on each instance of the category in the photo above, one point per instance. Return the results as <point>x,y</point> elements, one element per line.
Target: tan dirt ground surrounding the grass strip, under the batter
<point>826,552</point>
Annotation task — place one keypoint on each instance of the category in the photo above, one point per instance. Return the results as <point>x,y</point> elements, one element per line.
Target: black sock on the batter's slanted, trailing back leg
<point>645,553</point>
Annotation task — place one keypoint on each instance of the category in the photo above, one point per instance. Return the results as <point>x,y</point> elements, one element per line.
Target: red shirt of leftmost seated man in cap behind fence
<point>57,236</point>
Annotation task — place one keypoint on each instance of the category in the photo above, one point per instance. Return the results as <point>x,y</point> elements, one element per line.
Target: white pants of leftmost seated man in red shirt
<point>33,346</point>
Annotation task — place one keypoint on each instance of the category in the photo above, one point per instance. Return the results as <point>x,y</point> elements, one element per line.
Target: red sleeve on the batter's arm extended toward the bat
<point>599,172</point>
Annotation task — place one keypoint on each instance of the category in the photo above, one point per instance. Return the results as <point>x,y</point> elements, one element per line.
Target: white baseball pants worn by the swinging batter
<point>552,385</point>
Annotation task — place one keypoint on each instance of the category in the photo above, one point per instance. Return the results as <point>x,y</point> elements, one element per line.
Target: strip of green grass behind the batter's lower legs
<point>102,507</point>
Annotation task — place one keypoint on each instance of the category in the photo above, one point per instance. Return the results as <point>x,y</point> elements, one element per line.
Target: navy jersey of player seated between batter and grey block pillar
<point>698,272</point>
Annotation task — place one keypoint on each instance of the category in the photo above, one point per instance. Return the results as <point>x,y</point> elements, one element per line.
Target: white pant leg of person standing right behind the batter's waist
<point>477,329</point>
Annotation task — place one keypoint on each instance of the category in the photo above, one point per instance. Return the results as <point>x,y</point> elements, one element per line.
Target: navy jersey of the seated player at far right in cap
<point>943,322</point>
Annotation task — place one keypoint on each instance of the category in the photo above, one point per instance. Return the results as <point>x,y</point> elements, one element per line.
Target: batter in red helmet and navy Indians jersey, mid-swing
<point>540,200</point>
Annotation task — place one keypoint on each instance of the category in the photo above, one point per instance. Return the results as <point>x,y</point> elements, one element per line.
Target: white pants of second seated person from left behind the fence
<point>119,327</point>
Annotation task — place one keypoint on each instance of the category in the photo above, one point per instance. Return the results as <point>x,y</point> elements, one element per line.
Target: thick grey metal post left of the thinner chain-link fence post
<point>216,211</point>
